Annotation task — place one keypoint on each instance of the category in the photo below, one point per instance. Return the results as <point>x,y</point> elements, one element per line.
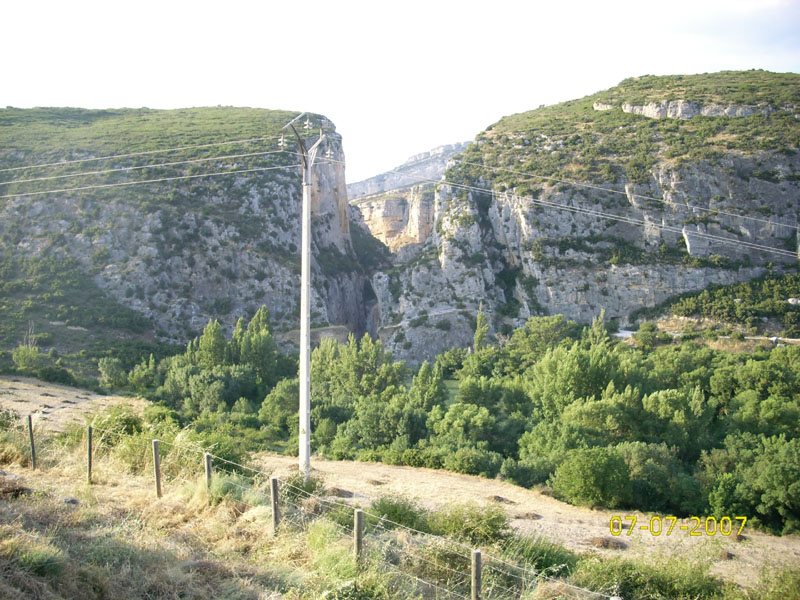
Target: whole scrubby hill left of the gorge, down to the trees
<point>137,263</point>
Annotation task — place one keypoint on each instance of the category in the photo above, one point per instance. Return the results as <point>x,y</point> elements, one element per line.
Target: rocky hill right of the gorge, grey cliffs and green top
<point>613,202</point>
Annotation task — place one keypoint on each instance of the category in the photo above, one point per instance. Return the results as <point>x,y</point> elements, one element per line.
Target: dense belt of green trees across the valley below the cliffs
<point>676,428</point>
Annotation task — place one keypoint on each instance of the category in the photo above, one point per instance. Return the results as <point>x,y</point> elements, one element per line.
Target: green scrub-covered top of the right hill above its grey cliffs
<point>572,140</point>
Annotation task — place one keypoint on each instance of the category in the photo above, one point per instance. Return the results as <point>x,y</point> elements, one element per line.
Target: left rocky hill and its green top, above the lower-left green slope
<point>182,251</point>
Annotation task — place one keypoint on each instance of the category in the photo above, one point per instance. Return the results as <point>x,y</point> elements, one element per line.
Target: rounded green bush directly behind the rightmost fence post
<point>471,522</point>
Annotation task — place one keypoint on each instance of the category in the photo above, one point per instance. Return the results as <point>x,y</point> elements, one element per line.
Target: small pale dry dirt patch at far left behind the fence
<point>54,407</point>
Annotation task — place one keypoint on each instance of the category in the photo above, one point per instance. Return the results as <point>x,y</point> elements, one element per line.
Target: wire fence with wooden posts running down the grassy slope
<point>432,566</point>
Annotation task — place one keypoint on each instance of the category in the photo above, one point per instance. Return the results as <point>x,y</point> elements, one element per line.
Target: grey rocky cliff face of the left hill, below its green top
<point>183,252</point>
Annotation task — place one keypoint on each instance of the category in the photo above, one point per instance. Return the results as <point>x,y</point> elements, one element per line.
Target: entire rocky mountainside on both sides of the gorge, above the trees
<point>614,202</point>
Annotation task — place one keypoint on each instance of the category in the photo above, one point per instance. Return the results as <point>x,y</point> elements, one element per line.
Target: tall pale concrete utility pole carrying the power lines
<point>305,304</point>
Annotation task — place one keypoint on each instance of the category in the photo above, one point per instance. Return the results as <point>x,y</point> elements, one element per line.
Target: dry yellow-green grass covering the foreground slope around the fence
<point>118,541</point>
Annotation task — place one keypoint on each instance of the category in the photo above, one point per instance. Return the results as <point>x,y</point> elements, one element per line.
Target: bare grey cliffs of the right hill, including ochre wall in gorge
<point>654,231</point>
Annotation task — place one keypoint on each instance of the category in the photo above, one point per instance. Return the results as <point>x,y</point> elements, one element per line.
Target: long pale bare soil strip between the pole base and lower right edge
<point>532,512</point>
